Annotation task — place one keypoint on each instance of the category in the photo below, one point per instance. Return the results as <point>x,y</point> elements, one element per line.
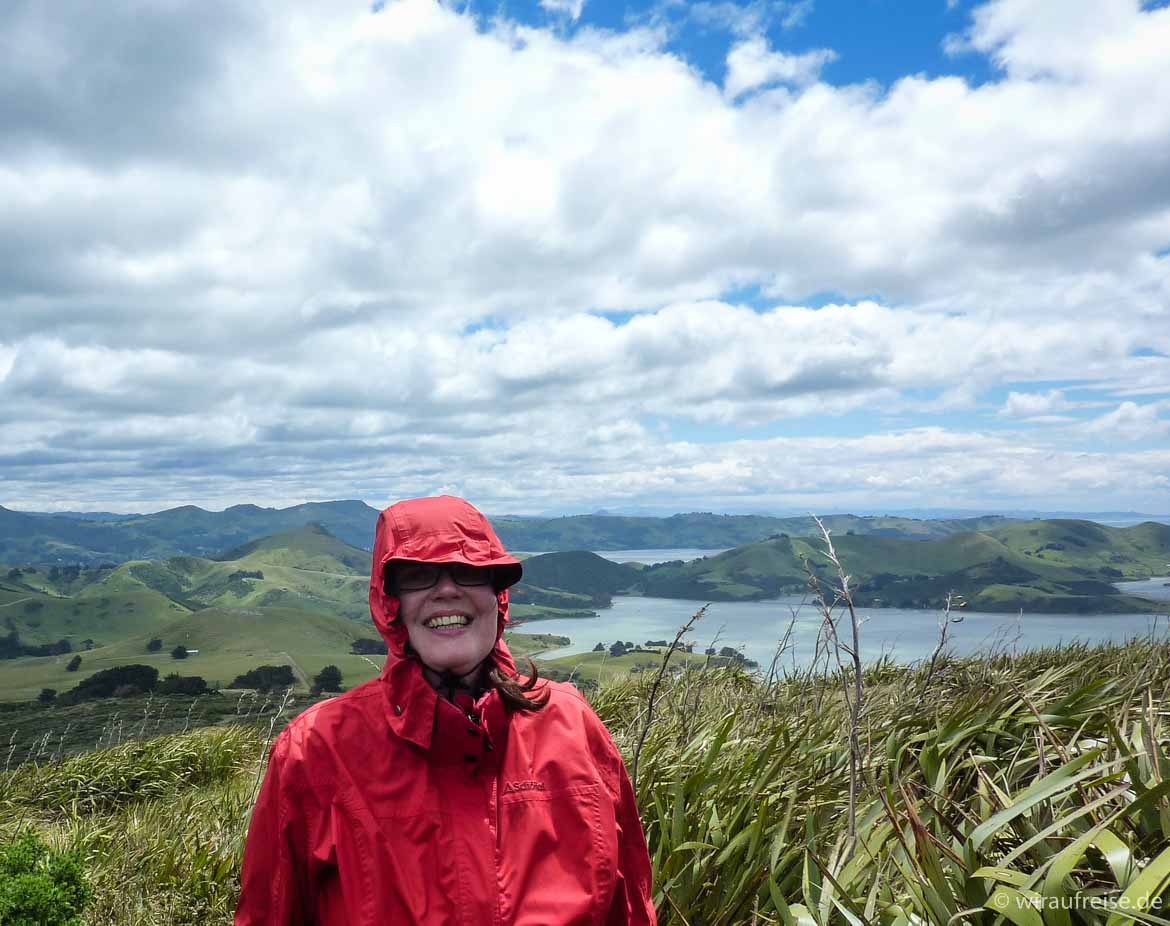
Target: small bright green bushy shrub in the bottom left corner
<point>39,887</point>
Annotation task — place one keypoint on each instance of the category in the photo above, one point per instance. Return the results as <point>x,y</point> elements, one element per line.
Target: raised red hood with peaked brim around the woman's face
<point>443,530</point>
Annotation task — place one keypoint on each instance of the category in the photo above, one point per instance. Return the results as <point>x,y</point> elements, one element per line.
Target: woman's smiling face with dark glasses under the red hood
<point>451,627</point>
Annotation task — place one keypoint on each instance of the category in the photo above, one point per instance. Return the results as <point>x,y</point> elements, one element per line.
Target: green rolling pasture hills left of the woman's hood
<point>297,599</point>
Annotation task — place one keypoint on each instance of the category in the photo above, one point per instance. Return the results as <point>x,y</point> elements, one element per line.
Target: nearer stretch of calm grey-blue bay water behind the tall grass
<point>907,635</point>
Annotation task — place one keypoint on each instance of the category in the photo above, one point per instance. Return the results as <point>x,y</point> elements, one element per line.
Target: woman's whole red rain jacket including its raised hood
<point>393,806</point>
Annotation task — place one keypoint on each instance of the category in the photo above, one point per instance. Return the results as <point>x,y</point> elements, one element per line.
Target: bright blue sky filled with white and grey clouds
<point>572,255</point>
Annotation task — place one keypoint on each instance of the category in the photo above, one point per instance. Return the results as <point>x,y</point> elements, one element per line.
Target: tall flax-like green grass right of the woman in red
<point>1030,790</point>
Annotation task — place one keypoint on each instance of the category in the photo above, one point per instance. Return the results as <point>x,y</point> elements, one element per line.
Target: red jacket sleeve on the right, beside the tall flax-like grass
<point>634,897</point>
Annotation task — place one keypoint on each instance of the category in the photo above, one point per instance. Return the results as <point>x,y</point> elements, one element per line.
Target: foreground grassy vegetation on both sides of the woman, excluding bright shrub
<point>1033,790</point>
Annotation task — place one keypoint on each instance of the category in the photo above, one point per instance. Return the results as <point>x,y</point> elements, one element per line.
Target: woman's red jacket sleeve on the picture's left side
<point>274,879</point>
